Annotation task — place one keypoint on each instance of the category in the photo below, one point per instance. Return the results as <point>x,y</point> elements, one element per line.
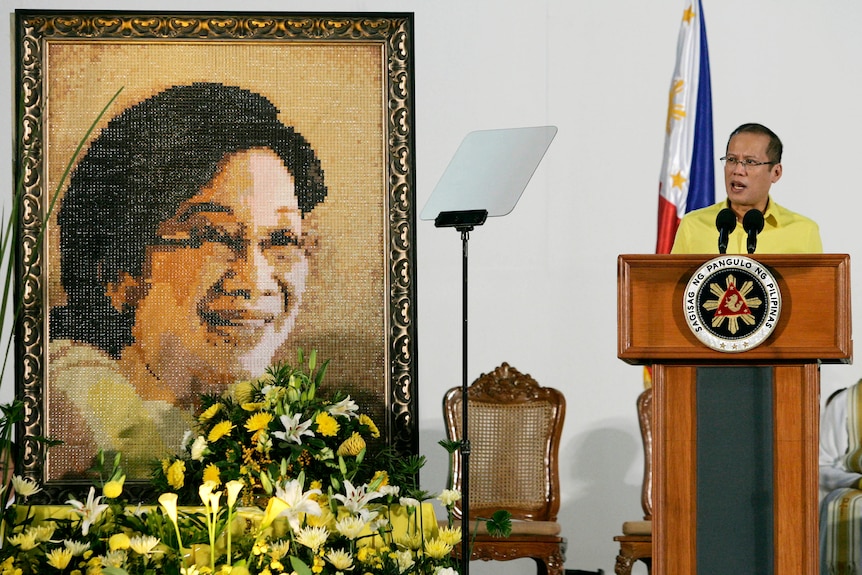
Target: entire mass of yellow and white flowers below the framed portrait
<point>281,481</point>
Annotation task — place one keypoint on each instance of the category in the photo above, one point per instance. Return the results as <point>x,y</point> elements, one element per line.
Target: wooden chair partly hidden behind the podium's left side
<point>636,540</point>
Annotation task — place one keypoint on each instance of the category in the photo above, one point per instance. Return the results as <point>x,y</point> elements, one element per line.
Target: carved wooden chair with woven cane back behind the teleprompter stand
<point>514,428</point>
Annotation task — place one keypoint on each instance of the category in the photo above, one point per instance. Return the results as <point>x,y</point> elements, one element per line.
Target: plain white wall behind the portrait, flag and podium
<point>542,280</point>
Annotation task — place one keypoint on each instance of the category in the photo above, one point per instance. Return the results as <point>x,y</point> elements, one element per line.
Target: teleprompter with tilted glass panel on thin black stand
<point>486,177</point>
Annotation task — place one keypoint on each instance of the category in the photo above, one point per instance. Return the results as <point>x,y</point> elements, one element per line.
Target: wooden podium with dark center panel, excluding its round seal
<point>735,438</point>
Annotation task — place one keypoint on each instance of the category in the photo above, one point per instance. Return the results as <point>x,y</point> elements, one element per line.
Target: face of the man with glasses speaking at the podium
<point>748,187</point>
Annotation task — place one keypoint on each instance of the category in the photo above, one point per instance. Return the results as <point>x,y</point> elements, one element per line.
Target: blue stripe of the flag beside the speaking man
<point>701,190</point>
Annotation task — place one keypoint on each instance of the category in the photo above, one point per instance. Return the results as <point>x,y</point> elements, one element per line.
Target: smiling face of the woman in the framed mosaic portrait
<point>222,291</point>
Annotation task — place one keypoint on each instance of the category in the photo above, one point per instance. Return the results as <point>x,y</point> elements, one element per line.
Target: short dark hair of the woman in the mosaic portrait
<point>142,166</point>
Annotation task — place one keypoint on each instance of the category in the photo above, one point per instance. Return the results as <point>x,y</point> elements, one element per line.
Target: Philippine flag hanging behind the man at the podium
<point>687,172</point>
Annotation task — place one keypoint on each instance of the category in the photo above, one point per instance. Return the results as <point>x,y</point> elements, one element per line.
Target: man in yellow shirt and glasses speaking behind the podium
<point>752,163</point>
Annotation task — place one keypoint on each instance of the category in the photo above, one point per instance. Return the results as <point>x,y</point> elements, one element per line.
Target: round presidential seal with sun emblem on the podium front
<point>732,303</point>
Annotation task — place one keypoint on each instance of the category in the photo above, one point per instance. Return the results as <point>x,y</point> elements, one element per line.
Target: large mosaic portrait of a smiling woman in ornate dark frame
<point>243,190</point>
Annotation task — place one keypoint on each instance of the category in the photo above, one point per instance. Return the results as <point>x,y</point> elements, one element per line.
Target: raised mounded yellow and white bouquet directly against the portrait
<point>265,431</point>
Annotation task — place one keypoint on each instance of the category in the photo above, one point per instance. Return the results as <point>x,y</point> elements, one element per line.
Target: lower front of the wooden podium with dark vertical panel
<point>734,470</point>
